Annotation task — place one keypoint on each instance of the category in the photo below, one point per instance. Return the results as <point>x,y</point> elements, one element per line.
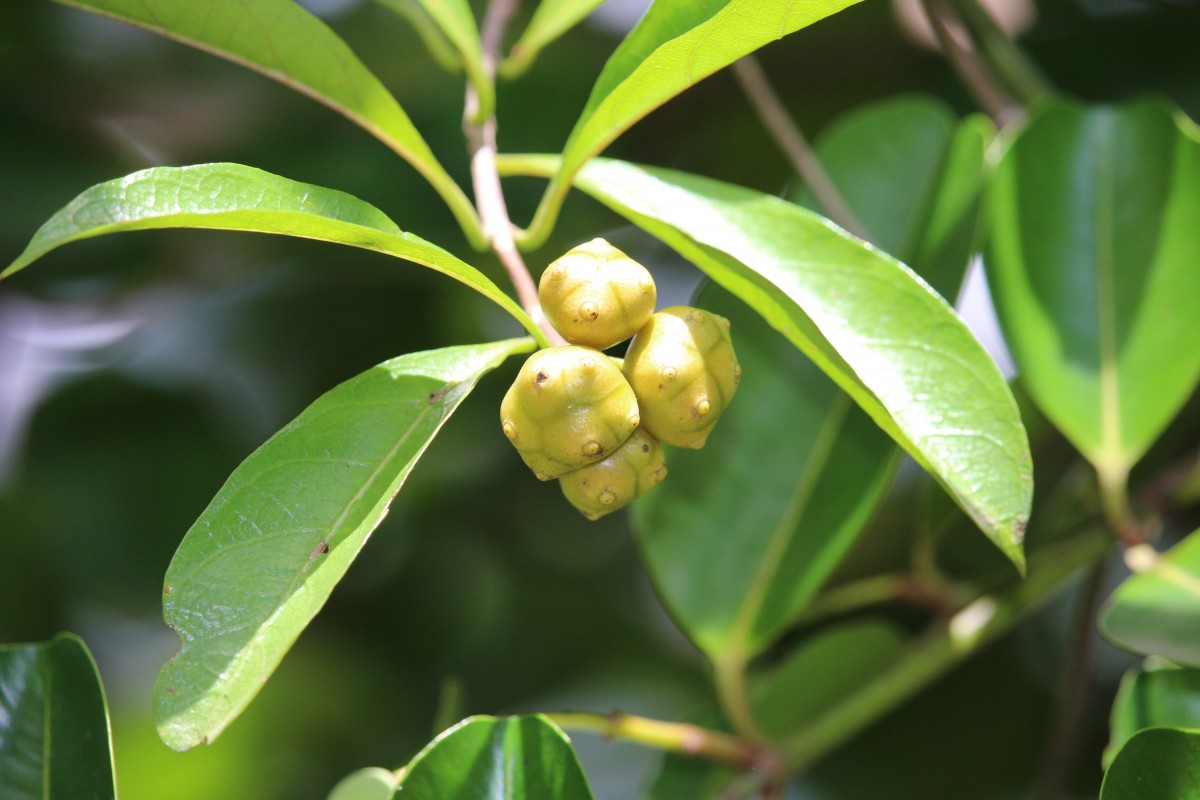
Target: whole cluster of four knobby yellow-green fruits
<point>575,416</point>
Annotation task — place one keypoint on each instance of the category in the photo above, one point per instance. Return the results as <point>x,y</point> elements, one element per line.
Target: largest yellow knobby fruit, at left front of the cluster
<point>569,407</point>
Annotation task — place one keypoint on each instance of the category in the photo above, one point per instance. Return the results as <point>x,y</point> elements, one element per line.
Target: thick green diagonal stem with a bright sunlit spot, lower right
<point>945,646</point>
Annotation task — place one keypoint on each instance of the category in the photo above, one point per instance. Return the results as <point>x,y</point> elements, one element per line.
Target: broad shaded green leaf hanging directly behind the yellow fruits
<point>749,528</point>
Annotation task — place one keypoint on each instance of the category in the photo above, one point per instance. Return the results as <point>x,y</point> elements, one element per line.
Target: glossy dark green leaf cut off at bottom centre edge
<point>497,759</point>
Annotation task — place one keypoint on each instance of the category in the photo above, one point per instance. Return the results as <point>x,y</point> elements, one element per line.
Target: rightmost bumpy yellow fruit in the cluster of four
<point>685,372</point>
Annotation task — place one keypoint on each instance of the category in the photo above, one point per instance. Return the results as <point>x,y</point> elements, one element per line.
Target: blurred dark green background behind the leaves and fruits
<point>137,371</point>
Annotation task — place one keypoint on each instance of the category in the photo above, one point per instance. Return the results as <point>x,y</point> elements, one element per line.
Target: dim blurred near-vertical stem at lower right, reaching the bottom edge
<point>1063,748</point>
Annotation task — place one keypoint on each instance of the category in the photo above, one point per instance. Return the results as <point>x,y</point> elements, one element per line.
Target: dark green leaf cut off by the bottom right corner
<point>1160,763</point>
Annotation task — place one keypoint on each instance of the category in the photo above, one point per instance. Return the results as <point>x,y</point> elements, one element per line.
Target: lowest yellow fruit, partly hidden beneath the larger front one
<point>633,471</point>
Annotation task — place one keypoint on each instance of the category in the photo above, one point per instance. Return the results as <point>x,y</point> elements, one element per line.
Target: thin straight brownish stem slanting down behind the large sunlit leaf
<point>794,145</point>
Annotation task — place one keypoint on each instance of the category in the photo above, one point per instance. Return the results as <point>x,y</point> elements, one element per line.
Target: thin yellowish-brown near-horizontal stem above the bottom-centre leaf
<point>673,737</point>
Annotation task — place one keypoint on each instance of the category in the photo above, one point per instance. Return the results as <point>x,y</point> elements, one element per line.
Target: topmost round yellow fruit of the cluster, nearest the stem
<point>596,296</point>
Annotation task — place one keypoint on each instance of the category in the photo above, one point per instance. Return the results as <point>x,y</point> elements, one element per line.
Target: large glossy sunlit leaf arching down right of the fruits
<point>884,336</point>
